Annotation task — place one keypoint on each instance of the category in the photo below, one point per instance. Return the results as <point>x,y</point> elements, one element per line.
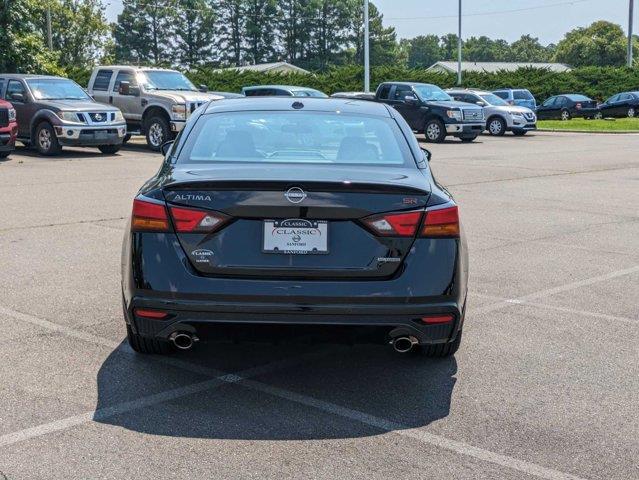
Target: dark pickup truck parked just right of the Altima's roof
<point>431,111</point>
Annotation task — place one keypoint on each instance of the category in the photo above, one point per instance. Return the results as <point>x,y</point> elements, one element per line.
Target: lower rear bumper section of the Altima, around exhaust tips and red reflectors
<point>374,323</point>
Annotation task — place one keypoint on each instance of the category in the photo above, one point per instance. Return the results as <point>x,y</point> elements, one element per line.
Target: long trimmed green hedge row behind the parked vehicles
<point>598,83</point>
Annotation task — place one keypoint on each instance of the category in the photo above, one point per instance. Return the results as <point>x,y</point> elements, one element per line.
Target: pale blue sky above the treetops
<point>546,19</point>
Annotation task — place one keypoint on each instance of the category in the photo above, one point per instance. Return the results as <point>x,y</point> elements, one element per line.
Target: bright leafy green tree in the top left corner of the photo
<point>23,48</point>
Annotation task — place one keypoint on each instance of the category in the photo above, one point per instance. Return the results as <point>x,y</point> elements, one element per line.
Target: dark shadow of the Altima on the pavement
<point>293,402</point>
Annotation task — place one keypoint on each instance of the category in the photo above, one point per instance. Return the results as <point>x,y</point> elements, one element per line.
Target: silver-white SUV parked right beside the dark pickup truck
<point>500,117</point>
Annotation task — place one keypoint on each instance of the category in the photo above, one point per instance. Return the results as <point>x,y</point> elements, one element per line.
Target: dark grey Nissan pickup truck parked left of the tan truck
<point>53,112</point>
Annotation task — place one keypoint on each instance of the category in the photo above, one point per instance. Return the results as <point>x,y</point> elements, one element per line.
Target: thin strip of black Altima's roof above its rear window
<point>342,105</point>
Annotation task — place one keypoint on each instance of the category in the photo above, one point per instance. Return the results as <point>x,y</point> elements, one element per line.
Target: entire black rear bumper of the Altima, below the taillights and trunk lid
<point>158,276</point>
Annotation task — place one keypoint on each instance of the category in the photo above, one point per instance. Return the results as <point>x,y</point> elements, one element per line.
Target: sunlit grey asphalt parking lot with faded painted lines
<point>545,385</point>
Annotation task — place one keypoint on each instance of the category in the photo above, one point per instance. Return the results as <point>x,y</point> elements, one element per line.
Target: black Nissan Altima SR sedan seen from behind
<point>286,217</point>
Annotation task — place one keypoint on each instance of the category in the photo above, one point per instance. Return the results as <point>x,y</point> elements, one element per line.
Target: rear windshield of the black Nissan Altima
<point>296,137</point>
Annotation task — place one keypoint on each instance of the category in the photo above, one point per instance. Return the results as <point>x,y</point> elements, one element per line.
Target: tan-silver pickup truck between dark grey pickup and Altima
<point>155,102</point>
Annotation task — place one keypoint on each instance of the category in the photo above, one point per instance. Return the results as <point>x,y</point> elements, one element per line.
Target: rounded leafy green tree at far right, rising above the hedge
<point>601,44</point>
